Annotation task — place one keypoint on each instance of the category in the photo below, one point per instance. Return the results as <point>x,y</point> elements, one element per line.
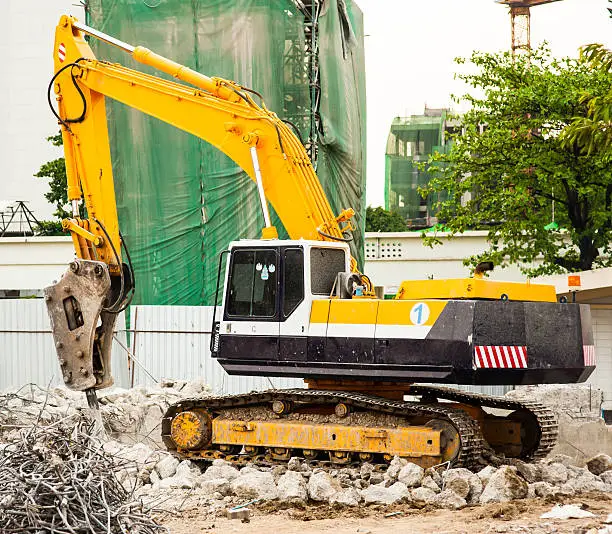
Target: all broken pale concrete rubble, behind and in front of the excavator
<point>162,482</point>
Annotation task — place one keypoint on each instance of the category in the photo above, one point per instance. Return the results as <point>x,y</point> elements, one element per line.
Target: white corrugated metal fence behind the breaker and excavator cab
<point>164,342</point>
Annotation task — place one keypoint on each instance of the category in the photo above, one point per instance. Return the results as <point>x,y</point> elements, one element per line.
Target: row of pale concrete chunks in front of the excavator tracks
<point>160,477</point>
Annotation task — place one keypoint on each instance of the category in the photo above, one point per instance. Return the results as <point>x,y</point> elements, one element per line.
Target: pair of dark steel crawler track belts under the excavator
<point>474,450</point>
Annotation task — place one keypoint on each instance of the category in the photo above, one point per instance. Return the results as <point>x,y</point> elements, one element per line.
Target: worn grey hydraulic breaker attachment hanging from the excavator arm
<point>82,331</point>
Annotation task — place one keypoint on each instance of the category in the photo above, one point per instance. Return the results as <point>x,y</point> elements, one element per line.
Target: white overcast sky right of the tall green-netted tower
<point>410,46</point>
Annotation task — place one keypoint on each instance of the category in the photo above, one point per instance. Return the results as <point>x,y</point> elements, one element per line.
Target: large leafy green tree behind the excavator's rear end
<point>509,169</point>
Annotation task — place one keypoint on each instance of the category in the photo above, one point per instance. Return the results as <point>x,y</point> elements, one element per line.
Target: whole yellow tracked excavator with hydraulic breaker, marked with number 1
<point>299,307</point>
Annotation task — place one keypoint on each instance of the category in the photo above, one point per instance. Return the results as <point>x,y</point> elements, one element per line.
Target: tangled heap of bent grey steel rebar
<point>56,478</point>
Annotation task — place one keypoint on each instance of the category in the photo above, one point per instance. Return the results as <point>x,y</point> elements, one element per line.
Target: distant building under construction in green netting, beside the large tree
<point>411,141</point>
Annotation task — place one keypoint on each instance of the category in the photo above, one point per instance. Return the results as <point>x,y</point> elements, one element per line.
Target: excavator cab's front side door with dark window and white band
<point>250,326</point>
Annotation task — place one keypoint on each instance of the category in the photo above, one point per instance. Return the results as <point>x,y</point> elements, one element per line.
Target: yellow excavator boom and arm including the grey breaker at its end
<point>83,305</point>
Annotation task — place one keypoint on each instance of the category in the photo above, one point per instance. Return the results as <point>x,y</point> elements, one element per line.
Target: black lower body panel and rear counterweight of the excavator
<point>553,334</point>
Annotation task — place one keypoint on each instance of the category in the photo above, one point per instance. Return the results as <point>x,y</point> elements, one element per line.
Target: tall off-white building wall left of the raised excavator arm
<point>26,47</point>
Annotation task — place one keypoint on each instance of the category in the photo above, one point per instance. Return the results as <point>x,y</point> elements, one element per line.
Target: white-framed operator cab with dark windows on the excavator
<point>269,289</point>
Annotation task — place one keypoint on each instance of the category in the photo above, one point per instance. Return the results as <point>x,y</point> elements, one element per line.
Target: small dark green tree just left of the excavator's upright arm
<point>55,171</point>
